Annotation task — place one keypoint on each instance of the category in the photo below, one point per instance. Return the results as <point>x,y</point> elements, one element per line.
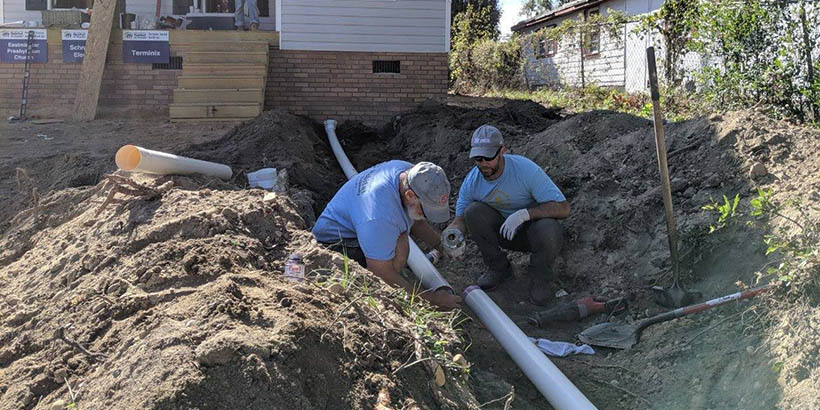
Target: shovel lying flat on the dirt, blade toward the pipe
<point>624,335</point>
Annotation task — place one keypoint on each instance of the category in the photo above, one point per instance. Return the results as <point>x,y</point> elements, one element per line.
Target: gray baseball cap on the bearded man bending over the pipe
<point>430,184</point>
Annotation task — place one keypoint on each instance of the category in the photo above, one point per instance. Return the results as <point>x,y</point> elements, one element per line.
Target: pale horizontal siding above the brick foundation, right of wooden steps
<point>376,25</point>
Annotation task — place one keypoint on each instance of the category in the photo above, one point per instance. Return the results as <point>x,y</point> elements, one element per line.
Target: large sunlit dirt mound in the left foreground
<point>176,301</point>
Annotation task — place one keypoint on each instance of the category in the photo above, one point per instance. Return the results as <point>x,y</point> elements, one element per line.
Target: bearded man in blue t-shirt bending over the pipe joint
<point>371,216</point>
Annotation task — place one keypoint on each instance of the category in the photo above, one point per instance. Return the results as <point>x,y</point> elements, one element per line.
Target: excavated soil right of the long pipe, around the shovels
<point>616,244</point>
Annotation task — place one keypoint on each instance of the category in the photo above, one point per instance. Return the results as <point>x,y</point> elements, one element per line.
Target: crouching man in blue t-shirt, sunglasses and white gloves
<point>508,201</point>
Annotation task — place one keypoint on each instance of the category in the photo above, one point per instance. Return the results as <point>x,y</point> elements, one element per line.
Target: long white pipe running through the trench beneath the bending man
<point>547,378</point>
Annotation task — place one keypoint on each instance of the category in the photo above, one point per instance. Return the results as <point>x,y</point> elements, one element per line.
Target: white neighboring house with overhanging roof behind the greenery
<point>618,61</point>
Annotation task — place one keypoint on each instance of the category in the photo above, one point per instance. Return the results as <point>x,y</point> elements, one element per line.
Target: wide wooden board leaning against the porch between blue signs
<point>96,49</point>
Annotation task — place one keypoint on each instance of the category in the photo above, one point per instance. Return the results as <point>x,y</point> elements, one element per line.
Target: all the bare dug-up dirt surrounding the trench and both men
<point>178,295</point>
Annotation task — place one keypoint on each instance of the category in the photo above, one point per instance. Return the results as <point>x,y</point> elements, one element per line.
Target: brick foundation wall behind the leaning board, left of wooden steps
<point>132,89</point>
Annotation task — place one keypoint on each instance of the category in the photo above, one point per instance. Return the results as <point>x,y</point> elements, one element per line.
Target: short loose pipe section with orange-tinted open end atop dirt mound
<point>133,158</point>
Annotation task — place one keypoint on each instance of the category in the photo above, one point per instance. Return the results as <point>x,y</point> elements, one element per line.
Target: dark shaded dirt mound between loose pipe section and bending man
<point>278,139</point>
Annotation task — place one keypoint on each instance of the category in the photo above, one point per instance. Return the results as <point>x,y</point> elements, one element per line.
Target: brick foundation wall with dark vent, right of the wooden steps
<point>342,85</point>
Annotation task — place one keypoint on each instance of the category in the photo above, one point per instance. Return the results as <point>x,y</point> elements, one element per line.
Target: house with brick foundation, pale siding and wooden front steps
<point>348,59</point>
